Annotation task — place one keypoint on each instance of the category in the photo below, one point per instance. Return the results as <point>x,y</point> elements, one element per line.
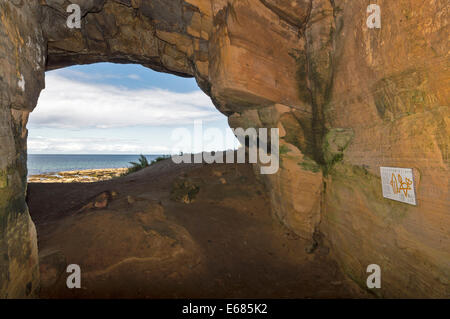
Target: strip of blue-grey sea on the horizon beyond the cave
<point>44,164</point>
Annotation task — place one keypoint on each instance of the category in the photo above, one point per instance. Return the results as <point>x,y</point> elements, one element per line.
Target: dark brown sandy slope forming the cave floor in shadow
<point>144,244</point>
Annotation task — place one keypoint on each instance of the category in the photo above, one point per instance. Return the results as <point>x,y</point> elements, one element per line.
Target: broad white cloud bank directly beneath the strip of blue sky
<point>72,104</point>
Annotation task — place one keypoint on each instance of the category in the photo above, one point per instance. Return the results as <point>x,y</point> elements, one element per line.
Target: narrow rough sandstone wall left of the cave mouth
<point>22,62</point>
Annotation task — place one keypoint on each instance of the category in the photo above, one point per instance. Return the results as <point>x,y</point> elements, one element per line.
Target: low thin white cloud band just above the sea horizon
<point>84,145</point>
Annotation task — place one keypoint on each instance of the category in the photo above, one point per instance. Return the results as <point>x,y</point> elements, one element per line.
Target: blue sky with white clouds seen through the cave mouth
<point>110,108</point>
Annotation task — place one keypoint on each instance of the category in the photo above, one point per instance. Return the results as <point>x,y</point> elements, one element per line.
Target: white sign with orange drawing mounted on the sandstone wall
<point>398,184</point>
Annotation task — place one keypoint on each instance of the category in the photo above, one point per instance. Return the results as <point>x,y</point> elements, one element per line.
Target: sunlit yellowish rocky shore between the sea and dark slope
<point>78,176</point>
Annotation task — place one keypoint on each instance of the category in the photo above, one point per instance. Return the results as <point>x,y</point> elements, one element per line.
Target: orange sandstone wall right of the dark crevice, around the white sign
<point>391,89</point>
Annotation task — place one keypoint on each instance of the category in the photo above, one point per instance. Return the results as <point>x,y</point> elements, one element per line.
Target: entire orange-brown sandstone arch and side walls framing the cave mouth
<point>347,100</point>
